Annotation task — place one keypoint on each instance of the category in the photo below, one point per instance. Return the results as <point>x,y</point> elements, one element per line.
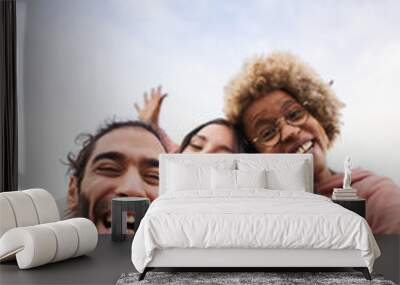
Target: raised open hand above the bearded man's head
<point>150,111</point>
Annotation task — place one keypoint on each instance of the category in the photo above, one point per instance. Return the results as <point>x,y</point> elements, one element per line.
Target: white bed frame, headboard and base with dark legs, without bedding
<point>246,259</point>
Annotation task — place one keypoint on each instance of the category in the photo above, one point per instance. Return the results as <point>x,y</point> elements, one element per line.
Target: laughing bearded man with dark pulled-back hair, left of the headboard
<point>120,160</point>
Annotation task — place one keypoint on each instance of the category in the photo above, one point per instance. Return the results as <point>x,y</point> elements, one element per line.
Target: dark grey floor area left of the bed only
<point>102,266</point>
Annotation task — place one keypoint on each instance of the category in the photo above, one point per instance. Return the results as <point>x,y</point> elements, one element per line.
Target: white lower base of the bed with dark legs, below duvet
<point>260,259</point>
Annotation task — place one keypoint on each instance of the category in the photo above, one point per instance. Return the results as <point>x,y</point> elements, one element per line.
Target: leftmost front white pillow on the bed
<point>182,177</point>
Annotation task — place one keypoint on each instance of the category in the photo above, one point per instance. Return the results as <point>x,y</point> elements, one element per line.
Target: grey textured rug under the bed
<point>228,278</point>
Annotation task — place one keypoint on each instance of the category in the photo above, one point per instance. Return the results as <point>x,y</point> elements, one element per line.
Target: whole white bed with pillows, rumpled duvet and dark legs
<point>246,211</point>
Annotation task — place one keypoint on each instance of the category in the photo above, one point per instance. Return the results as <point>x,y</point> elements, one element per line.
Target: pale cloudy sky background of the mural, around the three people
<point>83,61</point>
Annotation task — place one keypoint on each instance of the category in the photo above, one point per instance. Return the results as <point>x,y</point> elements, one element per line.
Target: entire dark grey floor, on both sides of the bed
<point>110,259</point>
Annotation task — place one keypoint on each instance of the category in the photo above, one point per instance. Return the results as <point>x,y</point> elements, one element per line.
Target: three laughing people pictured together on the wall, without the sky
<point>274,104</point>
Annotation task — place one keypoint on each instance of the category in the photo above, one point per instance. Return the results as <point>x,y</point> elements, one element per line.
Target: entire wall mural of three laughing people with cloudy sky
<point>248,77</point>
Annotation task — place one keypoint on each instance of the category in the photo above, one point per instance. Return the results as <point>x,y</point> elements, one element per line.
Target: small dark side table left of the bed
<point>119,207</point>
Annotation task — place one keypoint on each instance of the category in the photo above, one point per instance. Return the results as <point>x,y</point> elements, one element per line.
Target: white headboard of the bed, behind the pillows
<point>214,158</point>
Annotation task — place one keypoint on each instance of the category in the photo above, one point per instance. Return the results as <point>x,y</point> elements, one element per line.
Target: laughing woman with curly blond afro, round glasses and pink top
<point>281,105</point>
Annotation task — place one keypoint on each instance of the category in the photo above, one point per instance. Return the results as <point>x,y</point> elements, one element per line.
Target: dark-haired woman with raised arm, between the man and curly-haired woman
<point>215,136</point>
